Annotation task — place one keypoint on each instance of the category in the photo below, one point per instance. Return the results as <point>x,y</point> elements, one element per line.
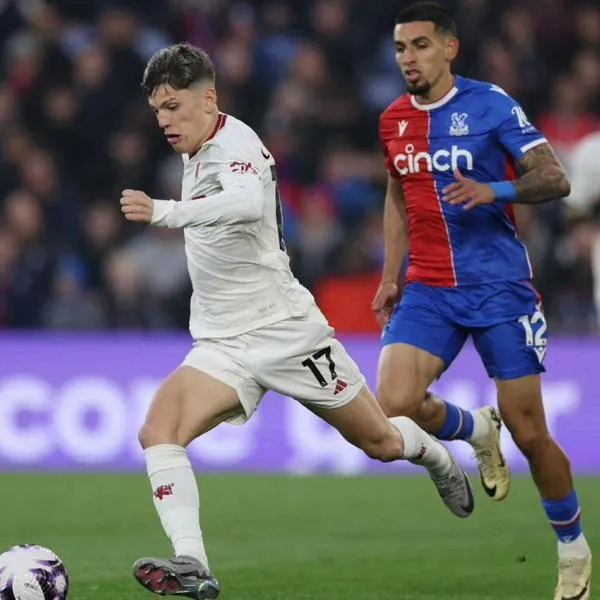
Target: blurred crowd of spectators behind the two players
<point>312,77</point>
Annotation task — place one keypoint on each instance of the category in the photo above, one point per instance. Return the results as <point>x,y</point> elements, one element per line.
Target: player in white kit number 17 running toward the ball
<point>254,326</point>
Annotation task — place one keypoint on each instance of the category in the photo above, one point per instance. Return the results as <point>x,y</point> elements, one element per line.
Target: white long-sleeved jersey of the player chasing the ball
<point>231,214</point>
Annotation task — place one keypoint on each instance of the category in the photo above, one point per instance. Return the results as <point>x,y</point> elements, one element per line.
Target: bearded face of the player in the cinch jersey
<point>423,55</point>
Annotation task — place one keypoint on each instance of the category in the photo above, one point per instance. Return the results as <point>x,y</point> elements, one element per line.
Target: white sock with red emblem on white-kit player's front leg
<point>176,498</point>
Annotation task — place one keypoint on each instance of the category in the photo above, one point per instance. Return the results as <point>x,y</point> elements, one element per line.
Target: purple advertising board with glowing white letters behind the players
<point>73,402</point>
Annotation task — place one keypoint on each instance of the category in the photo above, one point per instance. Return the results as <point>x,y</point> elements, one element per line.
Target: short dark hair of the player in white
<point>180,66</point>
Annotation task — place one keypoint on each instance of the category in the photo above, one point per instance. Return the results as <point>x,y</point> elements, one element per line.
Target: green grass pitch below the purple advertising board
<point>304,538</point>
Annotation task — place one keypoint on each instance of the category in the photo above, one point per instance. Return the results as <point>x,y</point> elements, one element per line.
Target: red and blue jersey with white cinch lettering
<point>482,131</point>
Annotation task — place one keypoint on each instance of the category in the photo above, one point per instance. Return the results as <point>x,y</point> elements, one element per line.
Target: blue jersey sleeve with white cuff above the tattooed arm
<point>511,125</point>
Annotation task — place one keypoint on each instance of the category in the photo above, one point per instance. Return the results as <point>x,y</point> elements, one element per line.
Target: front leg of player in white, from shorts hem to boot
<point>175,418</point>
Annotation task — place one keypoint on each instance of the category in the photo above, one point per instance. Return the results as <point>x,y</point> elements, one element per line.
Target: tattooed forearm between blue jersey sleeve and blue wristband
<point>544,179</point>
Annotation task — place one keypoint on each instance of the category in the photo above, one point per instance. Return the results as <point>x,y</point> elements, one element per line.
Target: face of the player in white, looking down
<point>186,117</point>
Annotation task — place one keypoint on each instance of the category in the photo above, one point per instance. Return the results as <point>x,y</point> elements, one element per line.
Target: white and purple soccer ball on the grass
<point>30,572</point>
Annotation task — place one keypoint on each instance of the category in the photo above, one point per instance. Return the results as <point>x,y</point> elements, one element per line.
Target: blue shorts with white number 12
<point>504,319</point>
